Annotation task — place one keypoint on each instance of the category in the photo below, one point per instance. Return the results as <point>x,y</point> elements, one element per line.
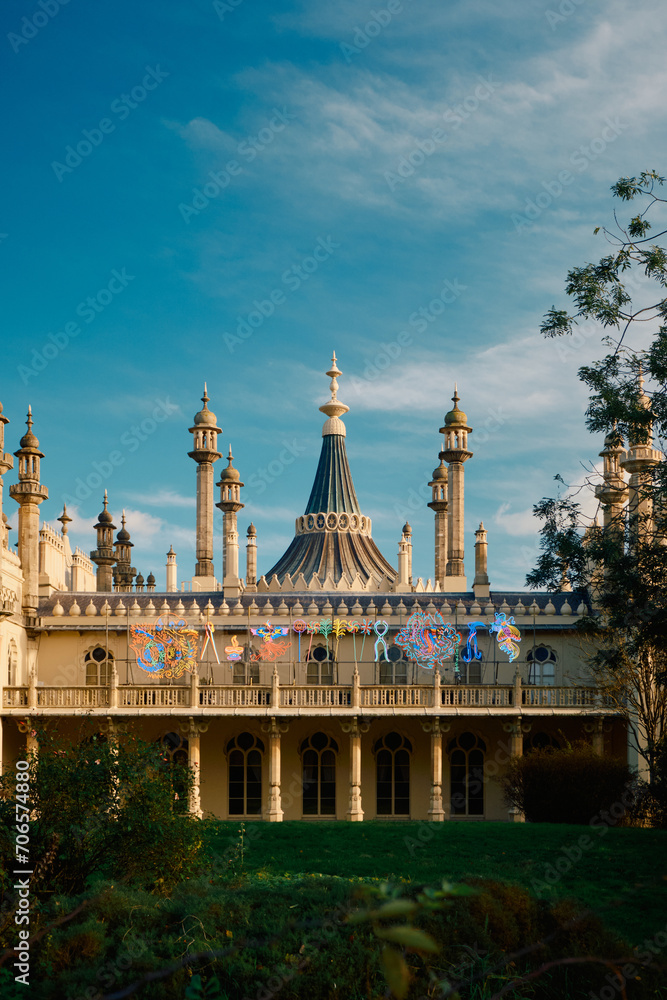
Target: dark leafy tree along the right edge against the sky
<point>623,562</point>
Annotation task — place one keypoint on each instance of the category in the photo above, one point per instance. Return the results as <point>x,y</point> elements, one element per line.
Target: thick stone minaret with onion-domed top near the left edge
<point>28,493</point>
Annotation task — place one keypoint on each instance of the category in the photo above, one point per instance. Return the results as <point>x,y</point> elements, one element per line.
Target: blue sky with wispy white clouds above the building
<point>212,148</point>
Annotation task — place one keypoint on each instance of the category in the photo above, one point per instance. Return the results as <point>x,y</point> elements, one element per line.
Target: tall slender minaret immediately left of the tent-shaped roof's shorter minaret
<point>205,453</point>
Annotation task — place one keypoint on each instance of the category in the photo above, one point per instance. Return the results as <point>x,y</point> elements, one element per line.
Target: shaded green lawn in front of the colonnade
<point>621,874</point>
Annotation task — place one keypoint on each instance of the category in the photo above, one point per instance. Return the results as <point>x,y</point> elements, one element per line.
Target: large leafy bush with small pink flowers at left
<point>102,807</point>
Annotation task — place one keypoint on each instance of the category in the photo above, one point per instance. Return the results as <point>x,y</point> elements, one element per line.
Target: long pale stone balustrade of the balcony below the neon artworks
<point>291,698</point>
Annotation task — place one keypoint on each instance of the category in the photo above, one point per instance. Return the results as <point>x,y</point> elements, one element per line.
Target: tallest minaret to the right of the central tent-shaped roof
<point>455,453</point>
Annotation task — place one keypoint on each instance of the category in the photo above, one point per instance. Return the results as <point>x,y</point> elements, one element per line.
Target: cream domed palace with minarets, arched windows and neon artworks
<point>333,684</point>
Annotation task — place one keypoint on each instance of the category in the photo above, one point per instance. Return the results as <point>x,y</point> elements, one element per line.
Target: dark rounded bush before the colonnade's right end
<point>572,785</point>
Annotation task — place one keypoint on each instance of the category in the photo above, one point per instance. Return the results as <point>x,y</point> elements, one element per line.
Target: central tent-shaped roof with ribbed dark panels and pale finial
<point>333,538</point>
